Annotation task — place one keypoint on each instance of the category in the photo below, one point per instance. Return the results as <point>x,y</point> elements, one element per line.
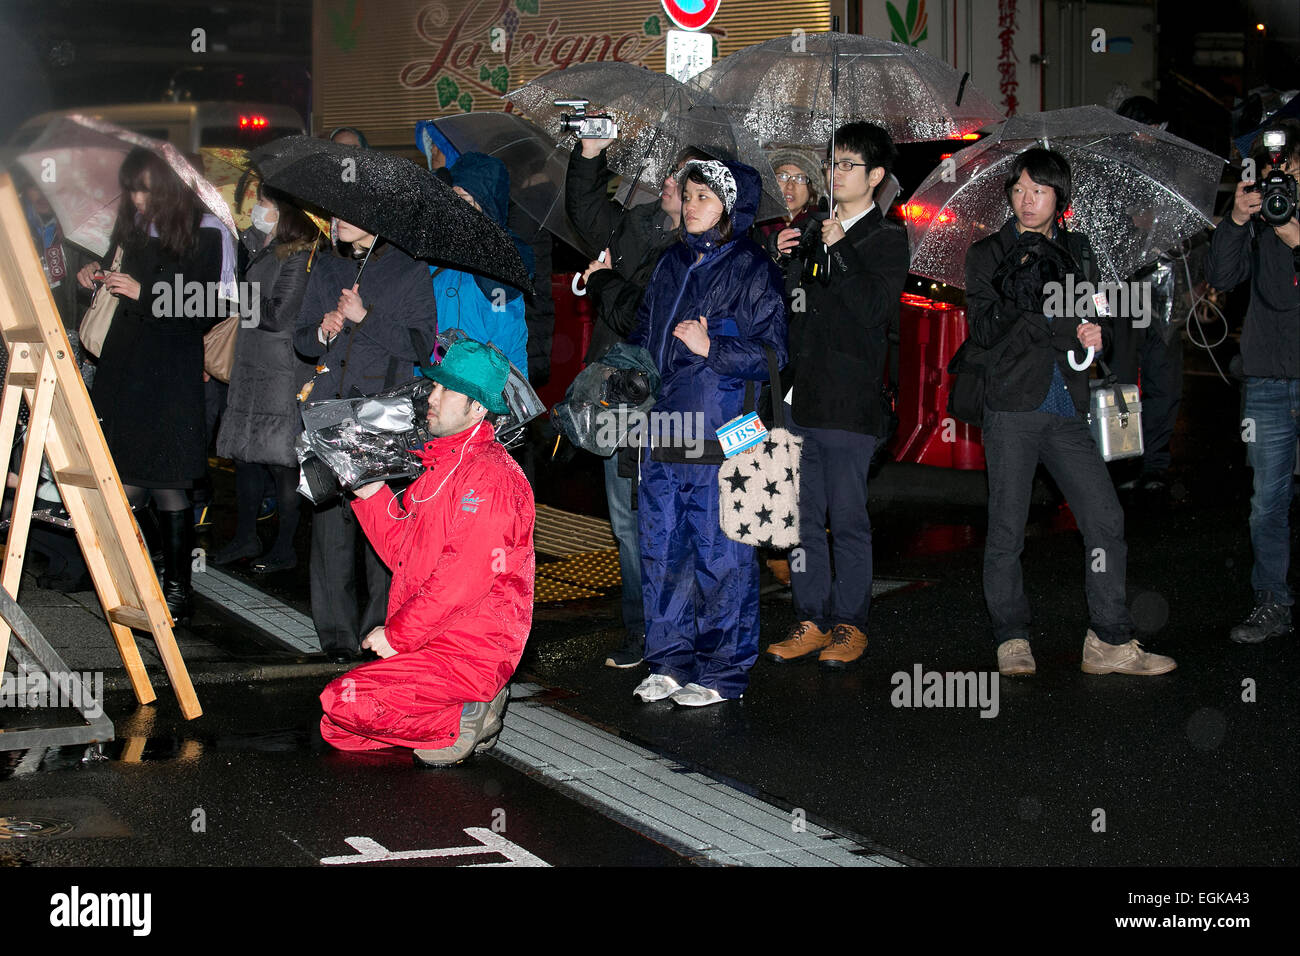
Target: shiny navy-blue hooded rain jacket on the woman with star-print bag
<point>738,288</point>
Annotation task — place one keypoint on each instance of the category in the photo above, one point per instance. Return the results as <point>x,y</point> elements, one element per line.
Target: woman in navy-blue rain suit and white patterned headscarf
<point>713,308</point>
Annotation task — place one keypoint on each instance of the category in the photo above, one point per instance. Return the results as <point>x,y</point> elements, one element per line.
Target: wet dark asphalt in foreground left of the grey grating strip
<point>252,784</point>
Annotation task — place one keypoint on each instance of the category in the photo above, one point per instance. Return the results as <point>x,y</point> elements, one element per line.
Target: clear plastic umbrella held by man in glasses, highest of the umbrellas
<point>799,89</point>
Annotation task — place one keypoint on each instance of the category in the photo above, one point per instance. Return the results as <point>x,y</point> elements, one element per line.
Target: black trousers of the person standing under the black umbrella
<point>340,622</point>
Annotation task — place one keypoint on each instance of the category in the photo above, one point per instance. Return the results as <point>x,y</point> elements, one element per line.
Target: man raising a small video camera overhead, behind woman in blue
<point>632,240</point>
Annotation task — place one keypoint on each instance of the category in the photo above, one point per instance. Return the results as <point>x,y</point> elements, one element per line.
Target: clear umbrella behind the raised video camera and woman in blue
<point>657,116</point>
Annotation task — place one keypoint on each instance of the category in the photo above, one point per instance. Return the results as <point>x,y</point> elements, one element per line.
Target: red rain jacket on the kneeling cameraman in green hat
<point>461,550</point>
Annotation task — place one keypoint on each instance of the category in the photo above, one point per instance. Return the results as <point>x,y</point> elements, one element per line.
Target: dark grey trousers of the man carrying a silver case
<point>1015,445</point>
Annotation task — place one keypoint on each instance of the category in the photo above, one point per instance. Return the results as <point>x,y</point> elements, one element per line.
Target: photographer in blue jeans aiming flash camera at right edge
<point>1260,241</point>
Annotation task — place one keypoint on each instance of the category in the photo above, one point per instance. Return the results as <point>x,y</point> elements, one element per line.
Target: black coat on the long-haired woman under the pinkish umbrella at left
<point>149,387</point>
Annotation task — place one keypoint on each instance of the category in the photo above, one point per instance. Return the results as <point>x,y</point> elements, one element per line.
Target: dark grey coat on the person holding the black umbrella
<point>376,353</point>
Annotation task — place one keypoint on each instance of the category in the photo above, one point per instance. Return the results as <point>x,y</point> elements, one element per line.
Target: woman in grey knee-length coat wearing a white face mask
<point>262,417</point>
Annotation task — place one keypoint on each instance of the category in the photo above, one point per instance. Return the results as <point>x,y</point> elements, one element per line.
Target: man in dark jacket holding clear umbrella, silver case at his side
<point>1035,405</point>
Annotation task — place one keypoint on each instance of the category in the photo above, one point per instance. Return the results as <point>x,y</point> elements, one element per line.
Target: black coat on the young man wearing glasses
<point>839,341</point>
